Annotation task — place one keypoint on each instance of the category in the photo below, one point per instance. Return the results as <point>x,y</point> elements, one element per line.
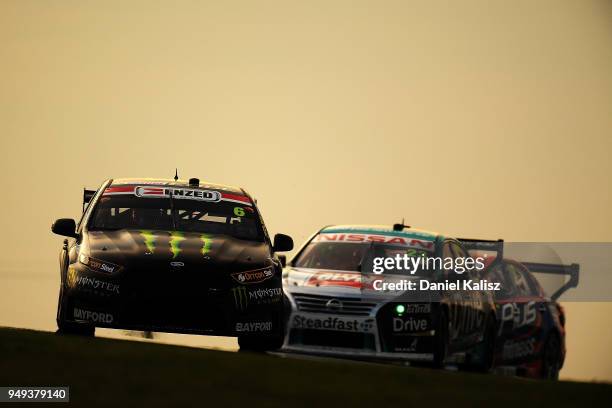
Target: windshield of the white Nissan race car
<point>356,256</point>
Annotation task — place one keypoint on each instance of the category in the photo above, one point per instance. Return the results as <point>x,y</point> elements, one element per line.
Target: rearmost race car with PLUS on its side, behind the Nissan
<point>531,324</point>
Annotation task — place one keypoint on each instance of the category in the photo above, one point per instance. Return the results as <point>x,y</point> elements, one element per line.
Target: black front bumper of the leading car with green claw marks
<point>188,304</point>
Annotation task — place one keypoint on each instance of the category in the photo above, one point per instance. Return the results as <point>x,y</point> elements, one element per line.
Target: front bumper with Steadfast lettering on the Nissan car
<point>375,333</point>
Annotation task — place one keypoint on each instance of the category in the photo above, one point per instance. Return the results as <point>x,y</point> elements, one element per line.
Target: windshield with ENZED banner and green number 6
<point>175,209</point>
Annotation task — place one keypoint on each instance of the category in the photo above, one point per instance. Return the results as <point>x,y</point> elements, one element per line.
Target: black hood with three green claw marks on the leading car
<point>128,247</point>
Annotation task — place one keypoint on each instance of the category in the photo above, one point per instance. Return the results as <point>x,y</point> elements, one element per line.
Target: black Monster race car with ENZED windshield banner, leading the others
<point>171,256</point>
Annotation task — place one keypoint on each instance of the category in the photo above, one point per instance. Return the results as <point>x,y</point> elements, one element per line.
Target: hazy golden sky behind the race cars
<point>476,118</point>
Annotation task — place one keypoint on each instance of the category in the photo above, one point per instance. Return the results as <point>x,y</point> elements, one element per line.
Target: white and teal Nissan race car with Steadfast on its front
<point>334,309</point>
